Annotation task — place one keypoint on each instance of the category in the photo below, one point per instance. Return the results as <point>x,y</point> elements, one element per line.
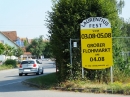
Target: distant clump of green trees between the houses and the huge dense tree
<point>40,47</point>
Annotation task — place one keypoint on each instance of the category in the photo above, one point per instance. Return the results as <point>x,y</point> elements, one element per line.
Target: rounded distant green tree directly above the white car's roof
<point>36,47</point>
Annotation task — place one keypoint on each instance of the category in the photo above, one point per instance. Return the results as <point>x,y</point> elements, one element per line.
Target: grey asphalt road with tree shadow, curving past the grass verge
<point>11,86</point>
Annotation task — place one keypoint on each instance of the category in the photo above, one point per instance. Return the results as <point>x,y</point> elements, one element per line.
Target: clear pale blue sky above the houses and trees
<point>27,17</point>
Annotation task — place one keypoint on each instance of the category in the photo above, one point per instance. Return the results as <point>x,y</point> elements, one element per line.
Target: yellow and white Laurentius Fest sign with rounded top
<point>96,43</point>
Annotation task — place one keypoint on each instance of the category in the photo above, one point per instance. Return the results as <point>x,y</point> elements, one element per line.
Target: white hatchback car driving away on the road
<point>30,66</point>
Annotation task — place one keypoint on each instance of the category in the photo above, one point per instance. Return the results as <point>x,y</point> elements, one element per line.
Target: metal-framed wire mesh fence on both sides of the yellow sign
<point>121,55</point>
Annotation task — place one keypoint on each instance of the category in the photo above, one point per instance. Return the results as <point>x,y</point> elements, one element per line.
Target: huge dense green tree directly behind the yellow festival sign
<point>64,23</point>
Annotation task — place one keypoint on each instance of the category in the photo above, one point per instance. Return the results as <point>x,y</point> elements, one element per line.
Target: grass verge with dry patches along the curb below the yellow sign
<point>50,81</point>
